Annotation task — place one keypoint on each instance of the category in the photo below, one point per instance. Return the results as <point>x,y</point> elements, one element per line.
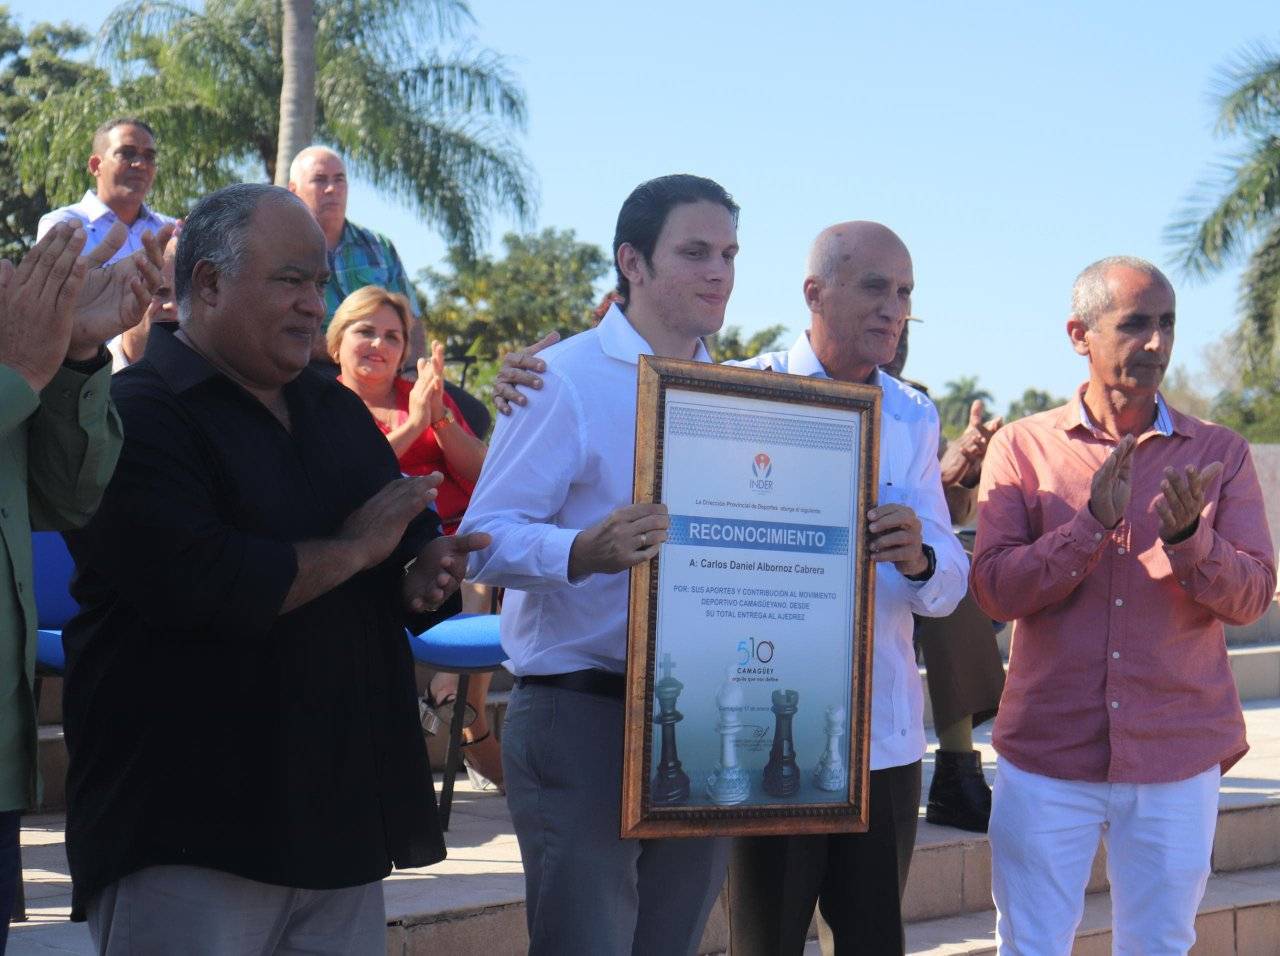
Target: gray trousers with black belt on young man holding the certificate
<point>588,891</point>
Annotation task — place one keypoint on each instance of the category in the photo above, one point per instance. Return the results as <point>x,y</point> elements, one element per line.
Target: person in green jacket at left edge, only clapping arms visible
<point>60,438</point>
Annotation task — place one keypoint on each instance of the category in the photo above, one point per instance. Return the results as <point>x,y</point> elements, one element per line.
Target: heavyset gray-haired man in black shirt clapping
<point>246,762</point>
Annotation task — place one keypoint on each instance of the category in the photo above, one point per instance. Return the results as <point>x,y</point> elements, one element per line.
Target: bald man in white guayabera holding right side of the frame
<point>858,290</point>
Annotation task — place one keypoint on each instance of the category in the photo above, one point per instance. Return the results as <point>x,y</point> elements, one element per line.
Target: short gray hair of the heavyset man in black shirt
<point>217,232</point>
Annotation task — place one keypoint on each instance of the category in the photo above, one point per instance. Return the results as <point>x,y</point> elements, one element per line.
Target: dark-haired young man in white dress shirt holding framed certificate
<point>556,497</point>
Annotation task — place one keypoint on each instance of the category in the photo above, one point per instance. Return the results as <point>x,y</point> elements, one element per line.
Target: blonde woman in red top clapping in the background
<point>368,339</point>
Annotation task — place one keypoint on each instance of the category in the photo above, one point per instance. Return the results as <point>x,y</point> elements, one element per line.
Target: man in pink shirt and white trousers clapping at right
<point>1121,536</point>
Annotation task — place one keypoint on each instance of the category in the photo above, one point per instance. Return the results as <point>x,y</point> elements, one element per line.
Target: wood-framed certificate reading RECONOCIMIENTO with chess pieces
<point>749,652</point>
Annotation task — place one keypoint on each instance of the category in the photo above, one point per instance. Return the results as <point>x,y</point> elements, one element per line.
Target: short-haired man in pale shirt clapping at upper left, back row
<point>124,164</point>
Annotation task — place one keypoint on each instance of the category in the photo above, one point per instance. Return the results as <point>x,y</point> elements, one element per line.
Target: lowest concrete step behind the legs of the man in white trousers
<point>1238,917</point>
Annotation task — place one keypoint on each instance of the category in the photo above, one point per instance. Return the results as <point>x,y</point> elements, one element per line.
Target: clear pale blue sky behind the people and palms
<point>1009,144</point>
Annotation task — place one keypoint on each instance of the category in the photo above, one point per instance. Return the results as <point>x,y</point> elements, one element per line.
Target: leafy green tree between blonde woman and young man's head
<point>484,308</point>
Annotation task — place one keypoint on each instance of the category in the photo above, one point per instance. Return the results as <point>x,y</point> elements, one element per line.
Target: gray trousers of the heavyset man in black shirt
<point>199,912</point>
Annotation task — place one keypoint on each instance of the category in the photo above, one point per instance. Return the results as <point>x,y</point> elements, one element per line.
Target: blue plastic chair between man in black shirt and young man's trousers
<point>467,644</point>
